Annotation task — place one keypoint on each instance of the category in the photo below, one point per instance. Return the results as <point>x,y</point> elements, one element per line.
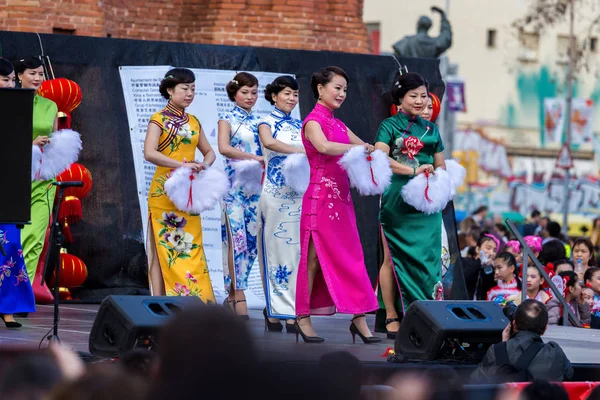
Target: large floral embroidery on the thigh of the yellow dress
<point>178,243</point>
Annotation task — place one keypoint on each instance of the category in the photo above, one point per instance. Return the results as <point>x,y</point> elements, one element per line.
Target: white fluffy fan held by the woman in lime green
<point>58,155</point>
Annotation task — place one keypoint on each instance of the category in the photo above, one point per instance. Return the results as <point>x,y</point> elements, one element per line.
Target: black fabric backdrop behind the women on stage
<point>109,238</point>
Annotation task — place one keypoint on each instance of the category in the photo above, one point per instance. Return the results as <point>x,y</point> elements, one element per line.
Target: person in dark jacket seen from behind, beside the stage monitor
<point>522,355</point>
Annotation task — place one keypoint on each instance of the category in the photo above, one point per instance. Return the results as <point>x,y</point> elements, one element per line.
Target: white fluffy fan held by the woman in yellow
<point>208,188</point>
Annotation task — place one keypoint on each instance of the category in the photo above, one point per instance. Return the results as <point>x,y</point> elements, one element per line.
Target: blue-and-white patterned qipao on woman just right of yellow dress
<point>239,216</point>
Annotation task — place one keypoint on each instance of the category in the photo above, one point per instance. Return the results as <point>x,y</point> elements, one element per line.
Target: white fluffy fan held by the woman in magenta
<point>359,169</point>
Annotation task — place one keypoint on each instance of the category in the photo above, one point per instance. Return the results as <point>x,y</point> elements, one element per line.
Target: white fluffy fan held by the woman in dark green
<point>413,192</point>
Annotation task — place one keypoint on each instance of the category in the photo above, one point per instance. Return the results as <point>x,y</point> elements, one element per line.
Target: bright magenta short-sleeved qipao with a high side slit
<point>328,219</point>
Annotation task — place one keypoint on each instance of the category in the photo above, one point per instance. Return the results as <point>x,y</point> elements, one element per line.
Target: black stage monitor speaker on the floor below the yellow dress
<point>127,322</point>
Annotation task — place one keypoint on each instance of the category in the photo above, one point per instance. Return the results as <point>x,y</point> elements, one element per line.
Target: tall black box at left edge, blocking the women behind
<point>16,114</point>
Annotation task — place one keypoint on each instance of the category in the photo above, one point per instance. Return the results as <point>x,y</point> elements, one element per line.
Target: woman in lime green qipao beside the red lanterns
<point>31,75</point>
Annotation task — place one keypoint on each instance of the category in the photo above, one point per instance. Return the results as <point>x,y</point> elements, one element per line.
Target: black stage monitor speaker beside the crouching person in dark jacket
<point>449,330</point>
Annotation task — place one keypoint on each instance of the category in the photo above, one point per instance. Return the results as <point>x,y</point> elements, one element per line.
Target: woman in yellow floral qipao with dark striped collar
<point>176,261</point>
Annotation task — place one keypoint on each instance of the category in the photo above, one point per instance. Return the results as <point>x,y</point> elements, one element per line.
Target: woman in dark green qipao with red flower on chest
<point>412,237</point>
